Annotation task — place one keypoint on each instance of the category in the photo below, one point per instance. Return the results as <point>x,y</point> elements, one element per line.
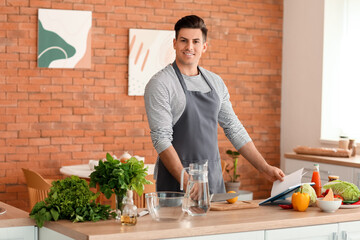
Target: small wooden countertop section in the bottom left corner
<point>14,217</point>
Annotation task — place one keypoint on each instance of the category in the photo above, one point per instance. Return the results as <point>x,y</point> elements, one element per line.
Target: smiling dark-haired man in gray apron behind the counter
<point>184,104</point>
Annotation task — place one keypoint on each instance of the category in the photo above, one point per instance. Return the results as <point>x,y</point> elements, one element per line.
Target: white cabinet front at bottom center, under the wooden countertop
<point>255,235</point>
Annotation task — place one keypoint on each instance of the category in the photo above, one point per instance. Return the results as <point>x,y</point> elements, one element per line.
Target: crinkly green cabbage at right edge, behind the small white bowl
<point>349,191</point>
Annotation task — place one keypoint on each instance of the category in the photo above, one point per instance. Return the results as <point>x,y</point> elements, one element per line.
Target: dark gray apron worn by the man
<point>195,138</point>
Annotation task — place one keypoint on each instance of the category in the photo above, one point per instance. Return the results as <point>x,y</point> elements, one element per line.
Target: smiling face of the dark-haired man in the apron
<point>189,47</point>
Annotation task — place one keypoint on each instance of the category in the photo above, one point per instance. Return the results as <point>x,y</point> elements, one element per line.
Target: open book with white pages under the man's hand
<point>281,190</point>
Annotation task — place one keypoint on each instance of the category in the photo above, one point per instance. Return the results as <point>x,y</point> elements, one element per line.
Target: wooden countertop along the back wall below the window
<point>349,162</point>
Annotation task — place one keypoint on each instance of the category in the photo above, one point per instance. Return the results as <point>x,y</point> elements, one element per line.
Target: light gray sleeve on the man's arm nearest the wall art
<point>158,110</point>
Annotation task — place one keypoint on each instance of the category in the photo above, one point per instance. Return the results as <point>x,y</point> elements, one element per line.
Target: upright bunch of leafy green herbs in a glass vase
<point>116,177</point>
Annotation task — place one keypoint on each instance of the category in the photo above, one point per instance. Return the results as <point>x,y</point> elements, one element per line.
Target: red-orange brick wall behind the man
<point>55,117</point>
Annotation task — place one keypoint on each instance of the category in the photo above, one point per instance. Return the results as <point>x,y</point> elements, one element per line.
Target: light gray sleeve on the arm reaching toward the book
<point>233,128</point>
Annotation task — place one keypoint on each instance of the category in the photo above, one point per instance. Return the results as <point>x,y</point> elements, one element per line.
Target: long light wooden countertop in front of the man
<point>215,222</point>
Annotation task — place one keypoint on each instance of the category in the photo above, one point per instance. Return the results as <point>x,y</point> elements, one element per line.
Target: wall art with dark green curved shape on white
<point>64,38</point>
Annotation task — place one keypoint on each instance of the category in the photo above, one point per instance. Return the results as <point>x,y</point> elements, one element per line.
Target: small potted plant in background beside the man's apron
<point>234,183</point>
